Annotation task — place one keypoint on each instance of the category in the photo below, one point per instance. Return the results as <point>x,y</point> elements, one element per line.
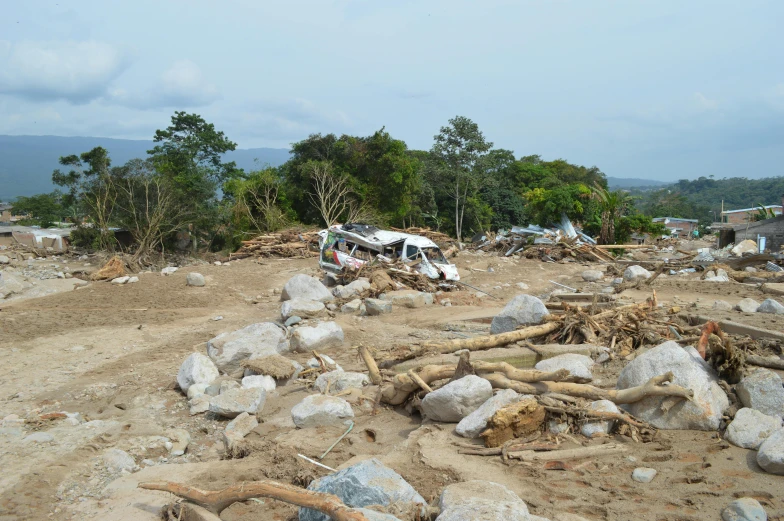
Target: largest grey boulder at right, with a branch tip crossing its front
<point>703,412</point>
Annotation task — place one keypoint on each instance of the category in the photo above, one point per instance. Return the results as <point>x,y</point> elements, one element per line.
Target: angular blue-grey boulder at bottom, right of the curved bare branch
<point>367,483</point>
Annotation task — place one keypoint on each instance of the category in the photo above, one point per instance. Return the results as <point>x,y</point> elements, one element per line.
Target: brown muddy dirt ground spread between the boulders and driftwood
<point>111,353</point>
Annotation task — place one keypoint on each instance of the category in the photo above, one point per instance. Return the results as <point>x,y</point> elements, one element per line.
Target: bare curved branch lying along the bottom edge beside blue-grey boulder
<point>218,500</point>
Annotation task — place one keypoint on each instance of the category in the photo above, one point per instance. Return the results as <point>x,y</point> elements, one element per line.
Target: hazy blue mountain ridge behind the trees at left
<point>26,162</point>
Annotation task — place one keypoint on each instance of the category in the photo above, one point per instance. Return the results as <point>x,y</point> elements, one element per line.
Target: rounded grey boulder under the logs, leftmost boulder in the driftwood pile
<point>456,400</point>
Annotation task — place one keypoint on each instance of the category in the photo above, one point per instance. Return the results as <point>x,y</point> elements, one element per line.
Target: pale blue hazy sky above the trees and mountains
<point>654,89</point>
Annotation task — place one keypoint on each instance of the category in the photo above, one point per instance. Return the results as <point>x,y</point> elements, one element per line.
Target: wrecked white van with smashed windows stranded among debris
<point>353,245</point>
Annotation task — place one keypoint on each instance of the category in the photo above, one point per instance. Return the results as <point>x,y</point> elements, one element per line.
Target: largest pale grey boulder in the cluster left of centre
<point>227,350</point>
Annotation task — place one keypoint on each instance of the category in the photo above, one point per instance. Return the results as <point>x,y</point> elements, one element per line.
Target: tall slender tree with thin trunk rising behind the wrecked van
<point>458,149</point>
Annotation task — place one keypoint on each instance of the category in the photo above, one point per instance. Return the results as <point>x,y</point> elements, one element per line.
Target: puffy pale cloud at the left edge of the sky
<point>59,70</point>
